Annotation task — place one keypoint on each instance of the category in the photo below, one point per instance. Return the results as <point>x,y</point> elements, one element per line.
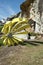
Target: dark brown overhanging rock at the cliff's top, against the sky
<point>25,7</point>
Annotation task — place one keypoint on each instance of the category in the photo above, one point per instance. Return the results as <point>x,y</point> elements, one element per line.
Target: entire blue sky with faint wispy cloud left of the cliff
<point>9,7</point>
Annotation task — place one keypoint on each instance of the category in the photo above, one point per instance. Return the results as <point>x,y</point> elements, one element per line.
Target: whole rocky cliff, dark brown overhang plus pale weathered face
<point>34,9</point>
